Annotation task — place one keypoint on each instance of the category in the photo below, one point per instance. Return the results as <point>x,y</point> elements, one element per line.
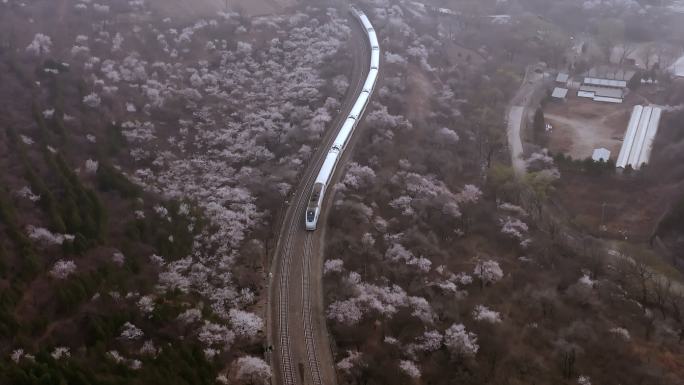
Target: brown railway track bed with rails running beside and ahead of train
<point>297,330</point>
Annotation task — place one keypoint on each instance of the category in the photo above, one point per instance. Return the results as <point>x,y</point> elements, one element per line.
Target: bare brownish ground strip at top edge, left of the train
<point>197,8</point>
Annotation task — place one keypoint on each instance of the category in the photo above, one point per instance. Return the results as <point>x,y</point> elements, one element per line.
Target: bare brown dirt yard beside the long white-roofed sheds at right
<point>580,126</point>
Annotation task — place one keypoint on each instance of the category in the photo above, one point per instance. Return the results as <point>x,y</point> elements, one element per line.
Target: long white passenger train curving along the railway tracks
<point>313,209</point>
